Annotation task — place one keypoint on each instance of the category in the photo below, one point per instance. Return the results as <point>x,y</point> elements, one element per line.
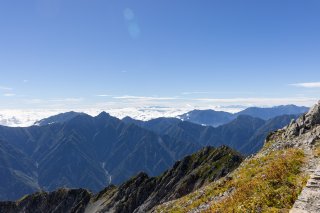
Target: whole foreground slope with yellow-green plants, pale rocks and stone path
<point>282,177</point>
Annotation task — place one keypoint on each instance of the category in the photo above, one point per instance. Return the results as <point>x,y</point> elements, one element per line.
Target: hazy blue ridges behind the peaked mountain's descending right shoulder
<point>244,134</point>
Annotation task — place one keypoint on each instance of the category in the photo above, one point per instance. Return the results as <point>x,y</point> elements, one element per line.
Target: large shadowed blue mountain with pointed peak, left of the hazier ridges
<point>88,152</point>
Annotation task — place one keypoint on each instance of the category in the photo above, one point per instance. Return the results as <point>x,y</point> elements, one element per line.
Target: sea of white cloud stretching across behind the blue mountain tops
<point>140,110</point>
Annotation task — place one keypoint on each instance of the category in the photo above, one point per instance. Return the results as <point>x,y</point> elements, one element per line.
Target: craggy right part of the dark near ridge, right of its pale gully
<point>142,193</point>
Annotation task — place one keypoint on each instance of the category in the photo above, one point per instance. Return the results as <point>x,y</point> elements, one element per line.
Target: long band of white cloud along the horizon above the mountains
<point>139,107</point>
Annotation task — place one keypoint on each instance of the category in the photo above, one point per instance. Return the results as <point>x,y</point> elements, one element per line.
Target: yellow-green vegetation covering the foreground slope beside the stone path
<point>265,183</point>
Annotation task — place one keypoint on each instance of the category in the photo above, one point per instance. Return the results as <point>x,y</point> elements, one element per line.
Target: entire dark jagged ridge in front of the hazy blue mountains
<point>139,194</point>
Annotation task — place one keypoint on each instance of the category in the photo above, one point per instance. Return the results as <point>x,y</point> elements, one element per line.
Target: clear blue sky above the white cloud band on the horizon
<point>86,53</point>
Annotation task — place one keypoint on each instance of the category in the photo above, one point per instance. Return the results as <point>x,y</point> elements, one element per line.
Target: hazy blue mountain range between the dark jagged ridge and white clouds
<point>80,151</point>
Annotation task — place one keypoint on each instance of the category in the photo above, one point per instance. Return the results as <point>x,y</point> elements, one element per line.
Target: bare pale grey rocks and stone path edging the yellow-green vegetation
<point>305,134</point>
